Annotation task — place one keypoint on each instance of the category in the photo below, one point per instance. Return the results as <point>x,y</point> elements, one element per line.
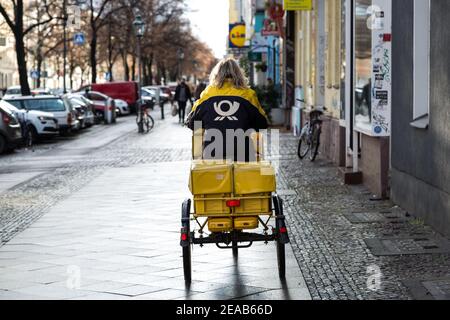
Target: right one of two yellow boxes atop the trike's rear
<point>254,178</point>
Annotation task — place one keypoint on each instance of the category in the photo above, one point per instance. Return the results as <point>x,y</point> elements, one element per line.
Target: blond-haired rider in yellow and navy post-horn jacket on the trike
<point>227,113</point>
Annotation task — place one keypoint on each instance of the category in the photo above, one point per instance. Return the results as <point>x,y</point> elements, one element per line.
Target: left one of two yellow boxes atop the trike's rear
<point>211,177</point>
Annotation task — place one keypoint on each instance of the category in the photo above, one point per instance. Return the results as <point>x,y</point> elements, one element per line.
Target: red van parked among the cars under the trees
<point>125,90</point>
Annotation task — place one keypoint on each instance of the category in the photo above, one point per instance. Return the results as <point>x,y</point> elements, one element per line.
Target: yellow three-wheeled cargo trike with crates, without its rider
<point>230,199</point>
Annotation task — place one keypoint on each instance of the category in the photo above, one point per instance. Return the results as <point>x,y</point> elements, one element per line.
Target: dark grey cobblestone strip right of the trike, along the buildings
<point>332,252</point>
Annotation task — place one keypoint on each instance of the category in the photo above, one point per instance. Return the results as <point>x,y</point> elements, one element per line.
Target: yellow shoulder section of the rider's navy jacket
<point>229,91</point>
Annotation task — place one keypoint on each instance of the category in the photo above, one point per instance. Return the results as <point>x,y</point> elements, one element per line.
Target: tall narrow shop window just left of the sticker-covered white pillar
<point>363,64</point>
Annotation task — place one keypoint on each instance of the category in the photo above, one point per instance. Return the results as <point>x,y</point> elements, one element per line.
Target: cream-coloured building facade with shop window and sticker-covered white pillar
<point>342,60</point>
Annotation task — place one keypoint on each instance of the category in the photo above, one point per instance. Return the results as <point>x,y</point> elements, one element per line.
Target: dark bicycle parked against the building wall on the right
<point>310,134</point>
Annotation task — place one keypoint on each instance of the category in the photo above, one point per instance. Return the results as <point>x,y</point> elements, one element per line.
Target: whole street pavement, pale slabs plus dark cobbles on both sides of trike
<point>73,208</point>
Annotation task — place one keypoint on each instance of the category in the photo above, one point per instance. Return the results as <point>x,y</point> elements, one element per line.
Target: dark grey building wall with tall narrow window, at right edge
<point>421,117</point>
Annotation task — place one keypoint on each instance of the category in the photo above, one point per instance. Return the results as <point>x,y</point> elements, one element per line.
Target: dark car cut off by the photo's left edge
<point>10,130</point>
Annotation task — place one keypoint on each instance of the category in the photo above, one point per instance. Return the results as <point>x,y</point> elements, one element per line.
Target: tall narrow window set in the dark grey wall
<point>421,60</point>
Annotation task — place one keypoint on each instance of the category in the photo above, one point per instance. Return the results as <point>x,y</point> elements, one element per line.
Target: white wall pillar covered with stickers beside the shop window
<point>381,74</point>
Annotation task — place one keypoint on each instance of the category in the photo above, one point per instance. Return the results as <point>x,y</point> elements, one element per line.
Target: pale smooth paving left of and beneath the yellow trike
<point>102,221</point>
